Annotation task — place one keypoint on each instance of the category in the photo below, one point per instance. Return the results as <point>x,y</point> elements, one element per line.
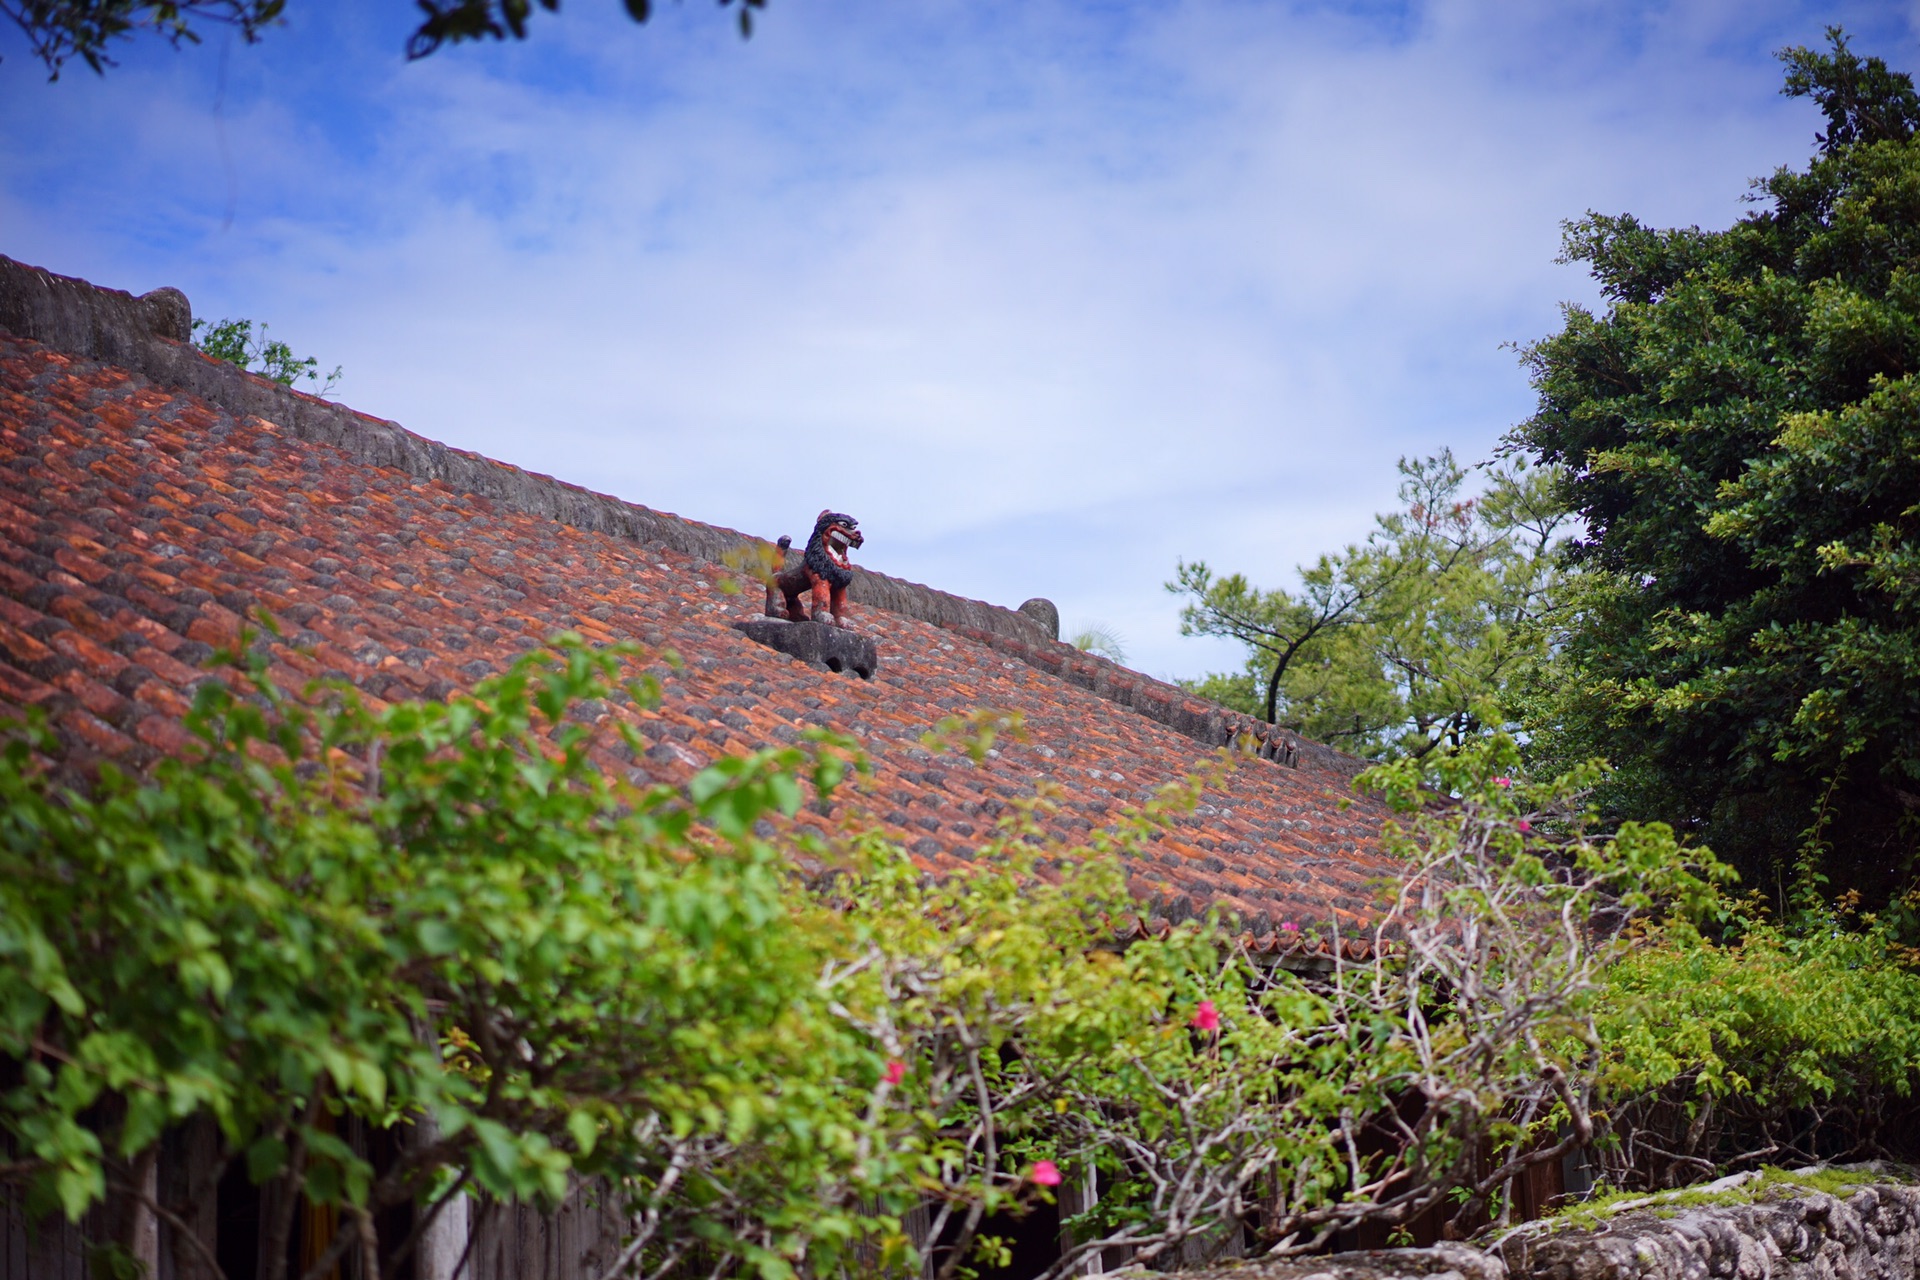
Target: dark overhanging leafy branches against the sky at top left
<point>87,30</point>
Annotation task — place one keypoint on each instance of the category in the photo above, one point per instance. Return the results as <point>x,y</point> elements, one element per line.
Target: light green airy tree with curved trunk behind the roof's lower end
<point>1426,636</point>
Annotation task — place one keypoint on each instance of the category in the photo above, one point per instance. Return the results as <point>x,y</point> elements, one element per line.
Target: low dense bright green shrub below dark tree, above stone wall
<point>1787,1045</point>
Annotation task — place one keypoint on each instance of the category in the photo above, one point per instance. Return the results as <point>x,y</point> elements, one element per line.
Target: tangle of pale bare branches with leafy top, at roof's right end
<point>1499,953</point>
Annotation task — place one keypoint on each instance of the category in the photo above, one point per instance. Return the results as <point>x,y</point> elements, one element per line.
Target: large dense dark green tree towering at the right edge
<point>1740,433</point>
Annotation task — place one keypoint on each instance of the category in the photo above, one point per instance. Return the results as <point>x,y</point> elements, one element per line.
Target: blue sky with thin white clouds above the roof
<point>1047,295</point>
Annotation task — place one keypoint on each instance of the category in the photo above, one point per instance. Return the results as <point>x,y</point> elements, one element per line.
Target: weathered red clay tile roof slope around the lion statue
<point>141,525</point>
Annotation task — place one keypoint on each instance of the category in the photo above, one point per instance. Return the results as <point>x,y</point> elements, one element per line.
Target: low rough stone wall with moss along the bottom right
<point>1867,1233</point>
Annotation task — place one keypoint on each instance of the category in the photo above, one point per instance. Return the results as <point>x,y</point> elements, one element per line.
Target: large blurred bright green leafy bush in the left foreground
<point>437,918</point>
